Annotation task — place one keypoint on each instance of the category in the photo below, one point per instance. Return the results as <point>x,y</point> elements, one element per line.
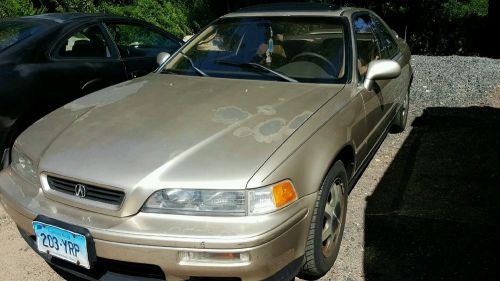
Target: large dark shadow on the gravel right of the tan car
<point>436,213</point>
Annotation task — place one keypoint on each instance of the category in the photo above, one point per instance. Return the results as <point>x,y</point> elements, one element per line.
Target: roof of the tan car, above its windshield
<point>294,9</point>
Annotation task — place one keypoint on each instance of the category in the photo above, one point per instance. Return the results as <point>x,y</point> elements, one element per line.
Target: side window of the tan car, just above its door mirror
<point>366,43</point>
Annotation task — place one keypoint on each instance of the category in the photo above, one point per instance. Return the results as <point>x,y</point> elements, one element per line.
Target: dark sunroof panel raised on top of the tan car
<point>295,7</point>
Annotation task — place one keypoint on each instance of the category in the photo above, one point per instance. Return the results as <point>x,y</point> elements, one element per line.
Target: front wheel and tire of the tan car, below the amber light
<point>321,253</point>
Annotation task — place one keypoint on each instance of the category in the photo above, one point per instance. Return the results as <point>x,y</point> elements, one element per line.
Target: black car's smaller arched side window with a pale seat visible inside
<point>88,42</point>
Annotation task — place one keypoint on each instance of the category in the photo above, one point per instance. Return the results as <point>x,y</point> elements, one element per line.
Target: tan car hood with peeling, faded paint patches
<point>169,131</point>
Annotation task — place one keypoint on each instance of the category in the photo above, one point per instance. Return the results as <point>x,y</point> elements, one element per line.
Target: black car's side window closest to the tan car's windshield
<point>138,41</point>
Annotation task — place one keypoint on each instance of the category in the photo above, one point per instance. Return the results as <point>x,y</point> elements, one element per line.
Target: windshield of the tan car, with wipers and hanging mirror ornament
<point>289,49</point>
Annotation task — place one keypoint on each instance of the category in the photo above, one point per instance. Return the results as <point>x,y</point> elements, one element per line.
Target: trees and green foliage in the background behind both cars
<point>432,26</point>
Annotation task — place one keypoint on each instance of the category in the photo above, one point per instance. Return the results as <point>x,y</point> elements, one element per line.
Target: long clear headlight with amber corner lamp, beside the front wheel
<point>222,202</point>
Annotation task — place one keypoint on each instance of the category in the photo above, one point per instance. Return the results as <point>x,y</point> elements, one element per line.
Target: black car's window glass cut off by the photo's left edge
<point>13,32</point>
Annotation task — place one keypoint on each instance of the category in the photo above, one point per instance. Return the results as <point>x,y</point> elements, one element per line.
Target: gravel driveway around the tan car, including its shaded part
<point>428,205</point>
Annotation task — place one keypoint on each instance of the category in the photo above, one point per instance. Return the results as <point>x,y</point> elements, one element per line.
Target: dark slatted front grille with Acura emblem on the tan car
<point>93,192</point>
